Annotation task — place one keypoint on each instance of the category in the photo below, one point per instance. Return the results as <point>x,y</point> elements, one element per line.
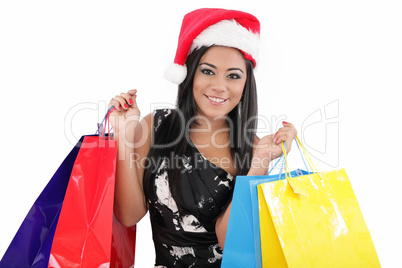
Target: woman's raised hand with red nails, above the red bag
<point>126,117</point>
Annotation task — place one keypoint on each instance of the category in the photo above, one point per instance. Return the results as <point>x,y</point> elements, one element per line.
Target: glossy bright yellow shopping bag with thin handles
<point>313,221</point>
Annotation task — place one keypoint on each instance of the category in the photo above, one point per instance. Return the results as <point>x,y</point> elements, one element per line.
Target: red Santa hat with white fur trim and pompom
<point>213,26</point>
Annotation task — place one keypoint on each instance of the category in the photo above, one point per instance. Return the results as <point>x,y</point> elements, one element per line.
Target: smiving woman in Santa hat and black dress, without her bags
<point>181,164</point>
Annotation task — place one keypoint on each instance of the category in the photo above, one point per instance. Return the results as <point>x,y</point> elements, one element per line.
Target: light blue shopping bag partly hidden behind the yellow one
<point>242,243</point>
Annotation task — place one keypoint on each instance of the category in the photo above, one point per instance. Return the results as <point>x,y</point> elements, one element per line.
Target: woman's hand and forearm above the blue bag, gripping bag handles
<point>269,148</point>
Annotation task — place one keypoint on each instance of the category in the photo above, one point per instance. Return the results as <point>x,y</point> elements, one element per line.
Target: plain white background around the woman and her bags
<point>62,61</point>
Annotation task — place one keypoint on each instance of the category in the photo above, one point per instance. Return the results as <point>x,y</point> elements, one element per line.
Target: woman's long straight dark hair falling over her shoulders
<point>173,141</point>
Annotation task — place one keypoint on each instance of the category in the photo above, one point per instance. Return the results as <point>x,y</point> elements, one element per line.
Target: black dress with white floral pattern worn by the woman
<point>189,240</point>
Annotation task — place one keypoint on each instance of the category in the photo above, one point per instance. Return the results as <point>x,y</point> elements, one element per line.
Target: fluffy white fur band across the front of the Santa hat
<point>230,34</point>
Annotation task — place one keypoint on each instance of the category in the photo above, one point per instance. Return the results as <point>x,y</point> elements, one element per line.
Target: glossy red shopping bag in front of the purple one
<point>83,236</point>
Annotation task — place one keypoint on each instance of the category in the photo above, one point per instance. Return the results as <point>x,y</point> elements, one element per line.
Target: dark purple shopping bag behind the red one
<point>31,245</point>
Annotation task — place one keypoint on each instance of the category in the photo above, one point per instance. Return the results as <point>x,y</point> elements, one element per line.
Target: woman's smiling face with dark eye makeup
<point>219,81</point>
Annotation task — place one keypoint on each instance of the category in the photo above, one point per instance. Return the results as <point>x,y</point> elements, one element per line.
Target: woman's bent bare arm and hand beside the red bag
<point>129,199</point>
